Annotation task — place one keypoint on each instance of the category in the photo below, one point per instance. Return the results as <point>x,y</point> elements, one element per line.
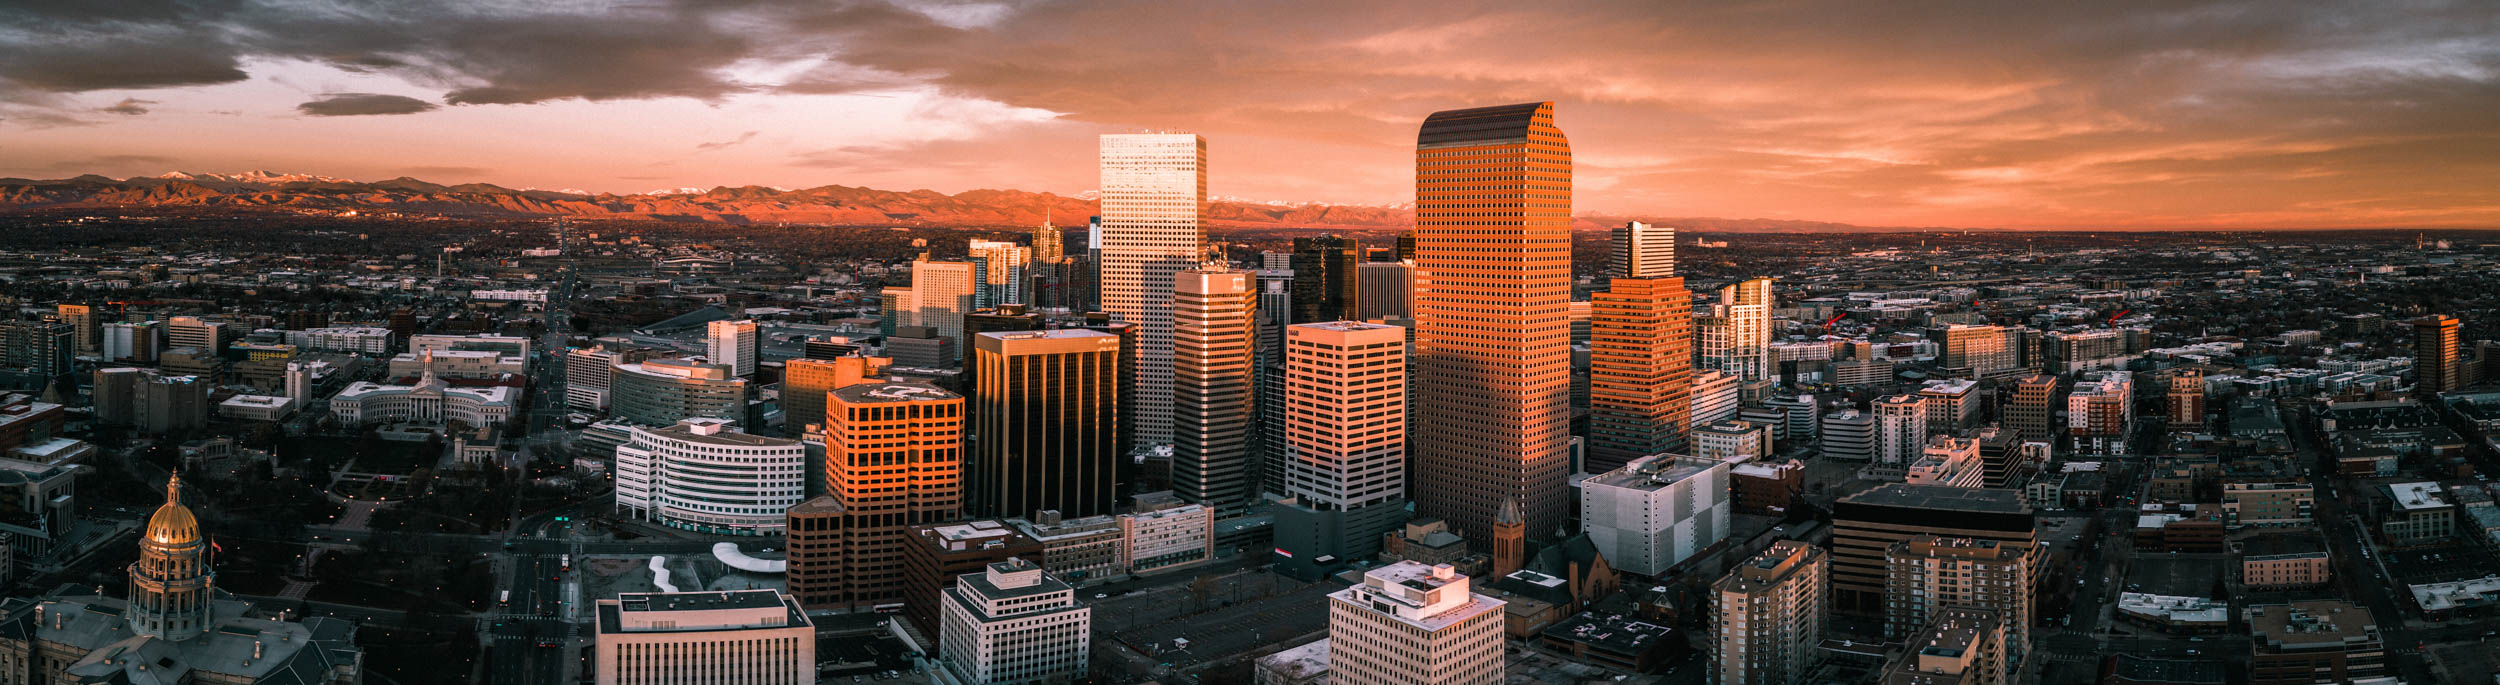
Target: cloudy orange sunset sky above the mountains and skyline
<point>1874,114</point>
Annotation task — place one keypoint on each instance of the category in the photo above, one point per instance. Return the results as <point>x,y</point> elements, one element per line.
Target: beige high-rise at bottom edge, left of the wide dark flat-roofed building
<point>1769,614</point>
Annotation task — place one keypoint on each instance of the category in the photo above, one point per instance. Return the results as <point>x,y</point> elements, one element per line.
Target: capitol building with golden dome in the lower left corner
<point>174,626</point>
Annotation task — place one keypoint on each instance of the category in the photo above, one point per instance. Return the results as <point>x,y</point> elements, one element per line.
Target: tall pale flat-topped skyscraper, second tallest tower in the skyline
<point>1154,199</point>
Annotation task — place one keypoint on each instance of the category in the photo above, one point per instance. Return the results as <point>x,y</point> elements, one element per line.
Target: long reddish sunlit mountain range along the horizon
<point>726,206</point>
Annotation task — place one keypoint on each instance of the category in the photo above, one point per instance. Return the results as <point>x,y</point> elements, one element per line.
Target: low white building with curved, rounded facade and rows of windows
<point>706,476</point>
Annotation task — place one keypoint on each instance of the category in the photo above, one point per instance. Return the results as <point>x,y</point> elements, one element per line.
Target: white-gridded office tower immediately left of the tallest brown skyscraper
<point>1344,451</point>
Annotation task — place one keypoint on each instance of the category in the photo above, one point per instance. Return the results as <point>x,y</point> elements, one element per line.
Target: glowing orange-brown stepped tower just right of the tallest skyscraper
<point>1639,371</point>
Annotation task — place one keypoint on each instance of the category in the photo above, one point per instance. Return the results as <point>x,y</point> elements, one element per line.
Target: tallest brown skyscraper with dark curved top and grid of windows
<point>1494,334</point>
